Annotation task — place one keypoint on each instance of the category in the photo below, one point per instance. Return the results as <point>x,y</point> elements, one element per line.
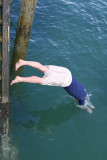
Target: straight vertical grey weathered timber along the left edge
<point>5,50</point>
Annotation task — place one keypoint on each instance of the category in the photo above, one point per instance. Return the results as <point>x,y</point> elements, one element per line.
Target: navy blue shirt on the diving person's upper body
<point>77,90</point>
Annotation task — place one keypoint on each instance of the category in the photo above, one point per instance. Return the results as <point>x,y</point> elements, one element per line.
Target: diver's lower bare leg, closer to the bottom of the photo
<point>32,79</point>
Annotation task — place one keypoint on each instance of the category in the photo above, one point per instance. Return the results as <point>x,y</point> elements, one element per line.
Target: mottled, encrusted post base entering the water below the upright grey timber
<point>7,152</point>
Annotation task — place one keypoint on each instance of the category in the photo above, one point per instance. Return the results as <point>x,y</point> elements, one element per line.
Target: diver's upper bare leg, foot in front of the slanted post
<point>32,64</point>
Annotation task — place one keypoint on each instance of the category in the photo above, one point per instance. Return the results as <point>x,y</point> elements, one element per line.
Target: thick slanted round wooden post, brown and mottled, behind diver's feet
<point>23,30</point>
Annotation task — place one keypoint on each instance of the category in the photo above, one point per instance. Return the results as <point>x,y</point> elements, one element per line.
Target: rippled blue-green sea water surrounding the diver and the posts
<point>45,122</point>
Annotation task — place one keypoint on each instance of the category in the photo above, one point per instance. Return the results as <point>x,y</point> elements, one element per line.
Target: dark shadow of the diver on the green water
<point>51,117</point>
